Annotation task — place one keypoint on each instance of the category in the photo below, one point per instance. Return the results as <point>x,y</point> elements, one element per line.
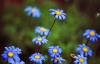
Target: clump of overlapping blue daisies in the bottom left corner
<point>12,55</point>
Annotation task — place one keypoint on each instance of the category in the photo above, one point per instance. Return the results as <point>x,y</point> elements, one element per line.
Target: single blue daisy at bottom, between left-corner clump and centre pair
<point>37,58</point>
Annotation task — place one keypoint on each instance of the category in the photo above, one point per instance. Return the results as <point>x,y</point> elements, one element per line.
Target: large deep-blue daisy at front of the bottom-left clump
<point>10,54</point>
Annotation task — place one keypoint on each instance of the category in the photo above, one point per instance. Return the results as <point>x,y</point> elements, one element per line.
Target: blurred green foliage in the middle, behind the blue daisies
<point>66,34</point>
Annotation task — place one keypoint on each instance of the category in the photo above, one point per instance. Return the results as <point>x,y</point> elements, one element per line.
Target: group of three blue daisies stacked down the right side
<point>83,50</point>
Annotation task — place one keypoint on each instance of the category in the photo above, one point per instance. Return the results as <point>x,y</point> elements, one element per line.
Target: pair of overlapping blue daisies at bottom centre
<point>54,52</point>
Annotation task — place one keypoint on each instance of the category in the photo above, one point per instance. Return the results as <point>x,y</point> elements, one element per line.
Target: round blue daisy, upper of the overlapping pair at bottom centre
<point>54,51</point>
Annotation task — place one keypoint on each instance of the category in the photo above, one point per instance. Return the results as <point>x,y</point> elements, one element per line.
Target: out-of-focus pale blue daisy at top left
<point>34,11</point>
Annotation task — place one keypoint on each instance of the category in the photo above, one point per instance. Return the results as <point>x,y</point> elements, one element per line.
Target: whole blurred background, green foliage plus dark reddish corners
<point>15,29</point>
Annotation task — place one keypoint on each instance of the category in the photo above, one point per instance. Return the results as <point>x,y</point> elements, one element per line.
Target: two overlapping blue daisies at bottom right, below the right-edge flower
<point>83,52</point>
